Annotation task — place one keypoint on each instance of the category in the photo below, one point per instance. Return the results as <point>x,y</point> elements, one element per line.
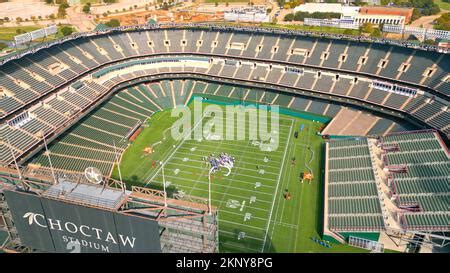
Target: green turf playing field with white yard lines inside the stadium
<point>253,214</point>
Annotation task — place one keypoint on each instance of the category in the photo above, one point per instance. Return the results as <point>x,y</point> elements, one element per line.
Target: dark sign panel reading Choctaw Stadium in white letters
<point>55,226</point>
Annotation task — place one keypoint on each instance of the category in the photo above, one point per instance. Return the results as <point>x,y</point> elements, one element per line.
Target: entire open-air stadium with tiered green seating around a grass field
<point>361,166</point>
